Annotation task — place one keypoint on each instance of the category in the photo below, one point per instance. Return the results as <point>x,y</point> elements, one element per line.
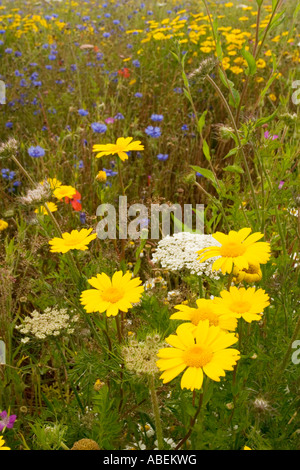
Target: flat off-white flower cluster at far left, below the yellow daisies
<point>52,322</point>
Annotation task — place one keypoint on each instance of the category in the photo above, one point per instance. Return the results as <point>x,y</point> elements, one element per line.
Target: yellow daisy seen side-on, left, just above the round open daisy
<point>76,240</point>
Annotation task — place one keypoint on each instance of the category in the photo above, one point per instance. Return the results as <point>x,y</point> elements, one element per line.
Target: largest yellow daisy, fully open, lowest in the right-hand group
<point>203,351</point>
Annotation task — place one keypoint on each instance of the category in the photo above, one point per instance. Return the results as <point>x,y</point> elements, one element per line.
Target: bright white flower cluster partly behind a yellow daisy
<point>179,252</point>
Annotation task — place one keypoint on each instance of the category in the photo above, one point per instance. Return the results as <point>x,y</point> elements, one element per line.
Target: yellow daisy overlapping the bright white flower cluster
<point>236,249</point>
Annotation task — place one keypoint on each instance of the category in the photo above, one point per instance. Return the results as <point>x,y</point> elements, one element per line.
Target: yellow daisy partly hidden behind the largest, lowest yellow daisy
<point>205,311</point>
